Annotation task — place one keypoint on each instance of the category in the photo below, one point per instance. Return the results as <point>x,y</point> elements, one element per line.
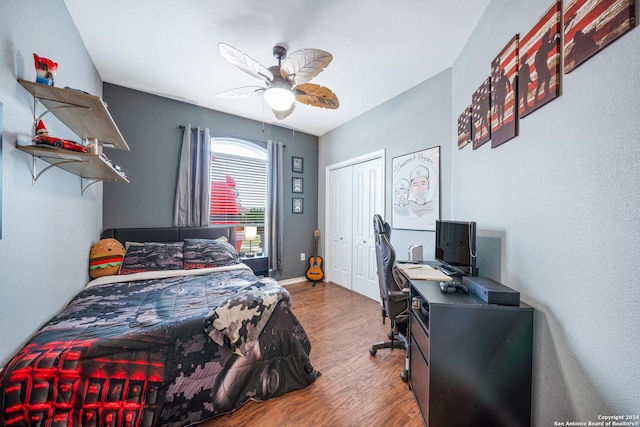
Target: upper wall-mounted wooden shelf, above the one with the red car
<point>85,114</point>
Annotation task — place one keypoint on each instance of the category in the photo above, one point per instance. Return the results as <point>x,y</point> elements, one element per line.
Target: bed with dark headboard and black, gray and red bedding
<point>160,346</point>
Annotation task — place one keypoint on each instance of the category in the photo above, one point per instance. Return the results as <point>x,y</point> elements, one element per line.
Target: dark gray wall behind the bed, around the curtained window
<point>151,126</point>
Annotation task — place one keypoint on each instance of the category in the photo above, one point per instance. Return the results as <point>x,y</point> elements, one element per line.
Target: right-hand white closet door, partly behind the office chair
<point>368,194</point>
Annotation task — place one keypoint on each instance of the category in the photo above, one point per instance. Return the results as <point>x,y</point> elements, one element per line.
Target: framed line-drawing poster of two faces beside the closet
<point>416,190</point>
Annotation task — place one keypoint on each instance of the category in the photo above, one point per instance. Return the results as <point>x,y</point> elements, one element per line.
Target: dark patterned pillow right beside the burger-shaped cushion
<point>152,256</point>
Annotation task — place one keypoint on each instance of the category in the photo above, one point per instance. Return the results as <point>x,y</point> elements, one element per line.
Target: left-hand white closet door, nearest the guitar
<point>341,225</point>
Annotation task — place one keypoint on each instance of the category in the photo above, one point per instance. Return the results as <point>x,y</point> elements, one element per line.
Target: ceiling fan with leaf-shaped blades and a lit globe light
<point>286,82</point>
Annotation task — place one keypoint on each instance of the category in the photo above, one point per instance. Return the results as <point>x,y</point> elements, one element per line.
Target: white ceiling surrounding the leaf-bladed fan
<point>380,48</point>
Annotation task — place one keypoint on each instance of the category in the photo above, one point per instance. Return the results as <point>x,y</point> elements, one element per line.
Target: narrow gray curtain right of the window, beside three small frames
<point>275,205</point>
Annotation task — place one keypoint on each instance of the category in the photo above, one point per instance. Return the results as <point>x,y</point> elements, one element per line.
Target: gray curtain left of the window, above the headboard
<point>193,187</point>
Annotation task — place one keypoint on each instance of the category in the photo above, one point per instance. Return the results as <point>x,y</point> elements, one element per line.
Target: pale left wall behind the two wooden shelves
<point>47,228</point>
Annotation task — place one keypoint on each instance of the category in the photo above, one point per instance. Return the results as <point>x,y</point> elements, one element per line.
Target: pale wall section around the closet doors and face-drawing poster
<point>416,120</point>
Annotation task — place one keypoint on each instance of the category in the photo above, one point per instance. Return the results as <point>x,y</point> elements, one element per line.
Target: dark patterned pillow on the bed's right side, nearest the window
<point>205,253</point>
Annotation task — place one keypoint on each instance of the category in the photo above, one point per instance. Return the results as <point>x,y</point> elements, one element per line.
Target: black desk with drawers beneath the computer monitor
<point>469,361</point>
